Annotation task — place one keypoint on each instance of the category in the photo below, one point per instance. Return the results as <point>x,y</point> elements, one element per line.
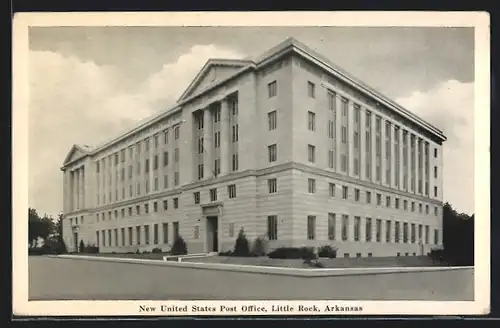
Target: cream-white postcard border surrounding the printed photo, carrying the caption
<point>478,20</point>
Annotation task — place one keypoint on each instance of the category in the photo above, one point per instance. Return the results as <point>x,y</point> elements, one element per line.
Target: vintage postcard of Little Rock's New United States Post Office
<point>258,163</point>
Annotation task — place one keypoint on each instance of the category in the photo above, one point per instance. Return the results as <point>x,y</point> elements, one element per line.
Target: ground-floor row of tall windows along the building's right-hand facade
<point>401,232</point>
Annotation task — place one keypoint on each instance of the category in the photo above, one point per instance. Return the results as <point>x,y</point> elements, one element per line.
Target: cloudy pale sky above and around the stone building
<point>90,84</point>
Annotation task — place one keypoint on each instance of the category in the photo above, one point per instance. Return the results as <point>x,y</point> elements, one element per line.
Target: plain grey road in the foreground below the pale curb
<point>68,279</point>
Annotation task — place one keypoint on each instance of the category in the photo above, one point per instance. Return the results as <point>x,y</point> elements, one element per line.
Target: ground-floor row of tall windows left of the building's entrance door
<point>125,236</point>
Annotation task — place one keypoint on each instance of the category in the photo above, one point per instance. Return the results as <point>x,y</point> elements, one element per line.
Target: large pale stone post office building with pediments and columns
<point>287,146</point>
